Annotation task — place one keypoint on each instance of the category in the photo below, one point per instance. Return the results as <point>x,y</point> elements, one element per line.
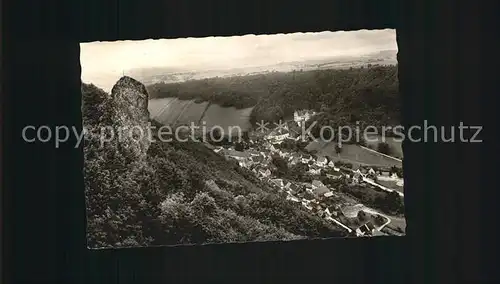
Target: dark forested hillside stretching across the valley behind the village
<point>368,94</point>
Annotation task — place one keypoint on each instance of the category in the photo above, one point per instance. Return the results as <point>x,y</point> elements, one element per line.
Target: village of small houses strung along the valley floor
<point>317,189</point>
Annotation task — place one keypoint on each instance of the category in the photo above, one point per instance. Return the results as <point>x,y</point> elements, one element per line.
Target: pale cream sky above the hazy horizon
<point>103,63</point>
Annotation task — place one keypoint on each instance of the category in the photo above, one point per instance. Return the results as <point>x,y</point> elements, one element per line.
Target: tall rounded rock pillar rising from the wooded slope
<point>131,116</point>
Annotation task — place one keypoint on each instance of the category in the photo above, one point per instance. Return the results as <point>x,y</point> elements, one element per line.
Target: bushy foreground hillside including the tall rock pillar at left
<point>168,193</point>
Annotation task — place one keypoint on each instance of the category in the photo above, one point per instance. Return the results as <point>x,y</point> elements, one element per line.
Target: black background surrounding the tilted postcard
<point>44,229</point>
